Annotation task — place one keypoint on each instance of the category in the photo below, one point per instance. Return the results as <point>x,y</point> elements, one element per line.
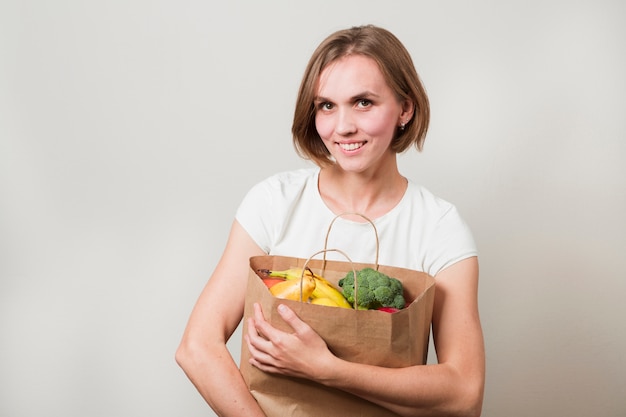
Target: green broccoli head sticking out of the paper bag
<point>374,290</point>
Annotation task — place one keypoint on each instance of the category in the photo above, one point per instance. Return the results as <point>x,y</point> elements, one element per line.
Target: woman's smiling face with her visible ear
<point>357,114</point>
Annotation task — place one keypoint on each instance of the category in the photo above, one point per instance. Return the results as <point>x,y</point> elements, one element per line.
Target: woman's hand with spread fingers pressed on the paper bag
<point>302,353</point>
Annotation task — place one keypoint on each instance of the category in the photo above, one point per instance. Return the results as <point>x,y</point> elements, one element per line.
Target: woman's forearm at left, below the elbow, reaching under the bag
<point>216,376</point>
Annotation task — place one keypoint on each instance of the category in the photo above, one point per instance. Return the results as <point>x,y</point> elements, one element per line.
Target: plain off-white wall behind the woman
<point>130,130</point>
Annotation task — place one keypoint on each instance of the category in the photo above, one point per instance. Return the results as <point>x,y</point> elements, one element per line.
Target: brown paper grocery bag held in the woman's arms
<point>365,336</point>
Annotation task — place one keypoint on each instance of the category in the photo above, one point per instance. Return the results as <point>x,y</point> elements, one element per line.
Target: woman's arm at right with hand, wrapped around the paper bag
<point>454,386</point>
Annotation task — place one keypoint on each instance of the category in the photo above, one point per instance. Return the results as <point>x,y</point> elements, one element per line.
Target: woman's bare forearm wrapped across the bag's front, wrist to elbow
<point>424,390</point>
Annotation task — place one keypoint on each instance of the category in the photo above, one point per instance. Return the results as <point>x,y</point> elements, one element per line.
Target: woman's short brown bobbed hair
<point>397,68</point>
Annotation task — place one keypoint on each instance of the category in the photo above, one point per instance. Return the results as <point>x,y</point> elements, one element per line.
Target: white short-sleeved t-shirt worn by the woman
<point>285,215</point>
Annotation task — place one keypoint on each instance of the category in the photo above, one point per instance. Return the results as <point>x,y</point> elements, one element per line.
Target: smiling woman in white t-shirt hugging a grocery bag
<point>360,103</point>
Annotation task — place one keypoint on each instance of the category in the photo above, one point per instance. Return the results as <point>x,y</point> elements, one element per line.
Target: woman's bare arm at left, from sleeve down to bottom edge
<point>202,352</point>
